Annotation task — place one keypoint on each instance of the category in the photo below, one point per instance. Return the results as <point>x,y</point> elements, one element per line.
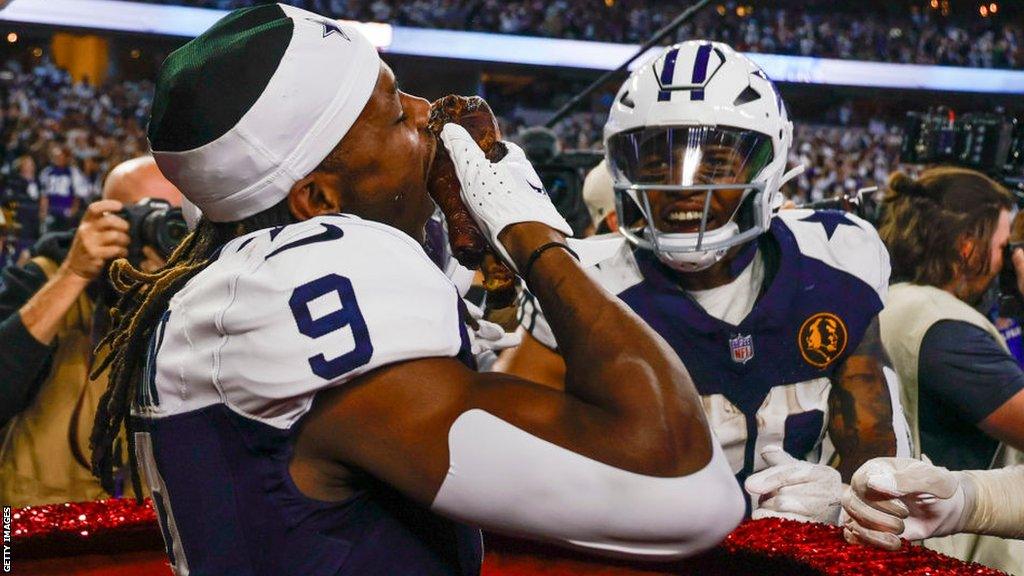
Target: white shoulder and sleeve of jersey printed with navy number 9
<point>319,305</point>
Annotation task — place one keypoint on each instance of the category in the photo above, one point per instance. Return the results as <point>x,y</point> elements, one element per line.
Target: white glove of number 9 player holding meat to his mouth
<point>500,194</point>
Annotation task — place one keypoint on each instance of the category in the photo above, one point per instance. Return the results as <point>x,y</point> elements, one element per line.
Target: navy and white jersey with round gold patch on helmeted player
<point>766,379</point>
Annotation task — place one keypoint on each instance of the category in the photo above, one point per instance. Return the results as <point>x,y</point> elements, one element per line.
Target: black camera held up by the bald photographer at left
<point>154,223</point>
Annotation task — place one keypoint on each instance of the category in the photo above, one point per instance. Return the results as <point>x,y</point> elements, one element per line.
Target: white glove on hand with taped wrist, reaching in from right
<point>892,498</point>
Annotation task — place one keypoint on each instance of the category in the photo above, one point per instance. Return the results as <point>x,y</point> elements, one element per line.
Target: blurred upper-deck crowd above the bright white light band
<point>917,36</point>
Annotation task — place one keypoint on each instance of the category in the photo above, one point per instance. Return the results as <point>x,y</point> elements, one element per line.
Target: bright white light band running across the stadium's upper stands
<point>188,22</point>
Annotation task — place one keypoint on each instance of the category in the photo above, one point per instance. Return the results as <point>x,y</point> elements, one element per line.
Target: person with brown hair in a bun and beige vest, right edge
<point>948,234</point>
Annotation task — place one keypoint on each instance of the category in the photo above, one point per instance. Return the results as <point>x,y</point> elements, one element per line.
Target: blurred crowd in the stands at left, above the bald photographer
<point>60,140</point>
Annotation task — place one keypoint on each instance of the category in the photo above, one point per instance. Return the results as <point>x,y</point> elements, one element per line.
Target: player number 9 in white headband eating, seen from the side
<point>296,379</point>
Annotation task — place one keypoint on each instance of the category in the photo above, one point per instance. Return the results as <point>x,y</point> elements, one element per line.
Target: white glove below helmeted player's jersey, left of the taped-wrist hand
<point>794,489</point>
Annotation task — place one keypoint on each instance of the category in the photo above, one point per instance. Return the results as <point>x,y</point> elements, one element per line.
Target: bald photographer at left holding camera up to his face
<point>48,333</point>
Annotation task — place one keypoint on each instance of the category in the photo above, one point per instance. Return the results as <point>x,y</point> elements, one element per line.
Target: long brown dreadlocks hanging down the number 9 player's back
<point>143,302</point>
